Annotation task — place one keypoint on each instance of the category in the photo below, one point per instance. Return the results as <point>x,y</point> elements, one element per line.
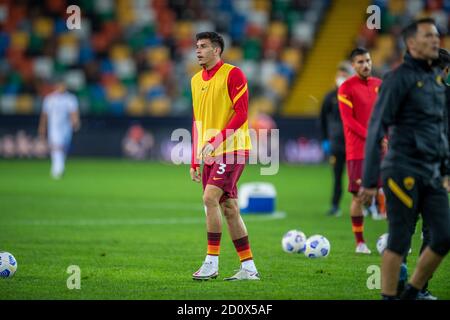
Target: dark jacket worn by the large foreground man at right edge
<point>411,108</point>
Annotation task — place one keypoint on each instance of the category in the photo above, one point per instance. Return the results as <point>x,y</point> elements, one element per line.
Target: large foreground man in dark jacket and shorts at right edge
<point>411,108</point>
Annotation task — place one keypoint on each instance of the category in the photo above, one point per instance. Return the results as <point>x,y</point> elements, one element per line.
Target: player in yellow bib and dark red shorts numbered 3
<point>221,139</point>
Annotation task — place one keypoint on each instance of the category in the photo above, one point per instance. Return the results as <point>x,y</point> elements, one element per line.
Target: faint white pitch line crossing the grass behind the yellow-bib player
<point>155,221</point>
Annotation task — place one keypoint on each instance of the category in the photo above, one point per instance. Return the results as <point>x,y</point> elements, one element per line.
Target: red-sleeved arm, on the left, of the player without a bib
<point>346,110</point>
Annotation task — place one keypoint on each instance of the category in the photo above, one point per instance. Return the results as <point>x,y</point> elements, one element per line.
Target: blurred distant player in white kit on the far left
<point>60,115</point>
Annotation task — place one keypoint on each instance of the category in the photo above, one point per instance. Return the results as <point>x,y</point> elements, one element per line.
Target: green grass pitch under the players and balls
<point>137,231</point>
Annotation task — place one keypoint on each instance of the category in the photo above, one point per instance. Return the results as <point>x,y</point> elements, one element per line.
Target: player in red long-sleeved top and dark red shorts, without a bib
<point>356,98</point>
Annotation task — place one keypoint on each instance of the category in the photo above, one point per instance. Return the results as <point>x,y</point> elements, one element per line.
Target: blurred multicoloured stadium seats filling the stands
<point>126,40</point>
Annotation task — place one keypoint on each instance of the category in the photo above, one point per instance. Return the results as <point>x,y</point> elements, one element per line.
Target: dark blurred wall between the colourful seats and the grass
<point>144,138</point>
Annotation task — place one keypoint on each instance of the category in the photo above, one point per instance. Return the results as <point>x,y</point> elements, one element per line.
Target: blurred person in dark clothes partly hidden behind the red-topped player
<point>333,136</point>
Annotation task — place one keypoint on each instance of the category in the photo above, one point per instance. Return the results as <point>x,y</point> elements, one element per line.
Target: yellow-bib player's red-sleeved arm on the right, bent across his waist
<point>238,92</point>
